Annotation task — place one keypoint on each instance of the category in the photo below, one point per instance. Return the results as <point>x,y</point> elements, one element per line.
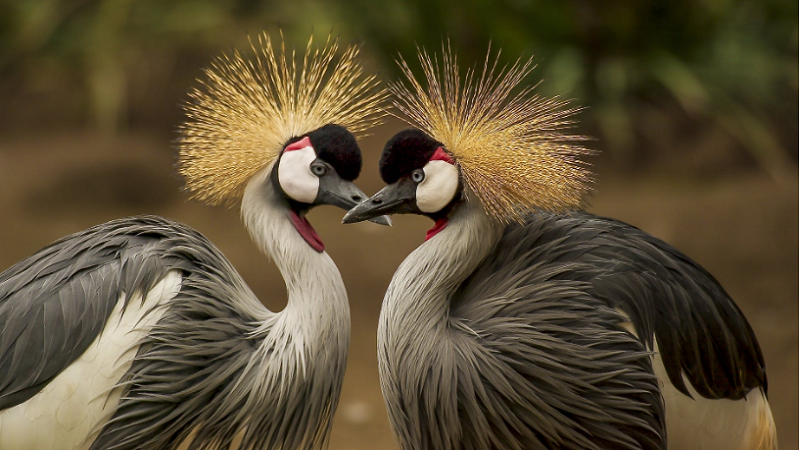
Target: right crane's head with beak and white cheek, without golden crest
<point>422,178</point>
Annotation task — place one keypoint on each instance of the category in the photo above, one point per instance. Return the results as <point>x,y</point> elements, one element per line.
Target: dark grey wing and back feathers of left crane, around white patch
<point>56,302</point>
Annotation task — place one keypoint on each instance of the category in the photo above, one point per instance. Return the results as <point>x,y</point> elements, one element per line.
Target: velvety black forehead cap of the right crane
<point>404,152</point>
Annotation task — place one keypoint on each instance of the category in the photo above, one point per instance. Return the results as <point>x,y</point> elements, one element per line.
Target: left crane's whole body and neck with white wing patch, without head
<point>163,315</point>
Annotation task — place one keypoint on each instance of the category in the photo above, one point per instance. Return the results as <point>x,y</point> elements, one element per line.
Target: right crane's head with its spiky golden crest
<point>509,145</point>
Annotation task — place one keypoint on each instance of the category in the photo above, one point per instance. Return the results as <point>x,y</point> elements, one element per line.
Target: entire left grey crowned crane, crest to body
<point>139,334</point>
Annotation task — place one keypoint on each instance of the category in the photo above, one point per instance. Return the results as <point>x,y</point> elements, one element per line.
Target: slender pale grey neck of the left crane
<point>295,375</point>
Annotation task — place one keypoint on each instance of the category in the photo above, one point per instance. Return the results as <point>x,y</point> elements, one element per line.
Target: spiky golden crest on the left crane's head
<point>248,107</point>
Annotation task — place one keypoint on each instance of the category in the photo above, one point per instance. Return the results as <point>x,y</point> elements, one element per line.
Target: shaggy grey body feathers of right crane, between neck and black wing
<point>562,373</point>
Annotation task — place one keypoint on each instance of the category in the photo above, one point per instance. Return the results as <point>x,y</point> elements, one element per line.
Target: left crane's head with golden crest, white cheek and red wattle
<point>266,116</point>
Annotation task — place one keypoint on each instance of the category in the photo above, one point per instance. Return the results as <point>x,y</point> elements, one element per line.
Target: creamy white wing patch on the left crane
<point>77,403</point>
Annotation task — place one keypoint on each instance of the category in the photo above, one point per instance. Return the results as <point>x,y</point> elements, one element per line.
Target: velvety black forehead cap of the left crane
<point>335,145</point>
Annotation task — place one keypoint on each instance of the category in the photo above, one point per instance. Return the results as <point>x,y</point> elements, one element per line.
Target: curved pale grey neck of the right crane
<point>413,328</point>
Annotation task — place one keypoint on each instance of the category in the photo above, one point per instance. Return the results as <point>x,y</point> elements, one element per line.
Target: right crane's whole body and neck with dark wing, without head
<point>526,328</point>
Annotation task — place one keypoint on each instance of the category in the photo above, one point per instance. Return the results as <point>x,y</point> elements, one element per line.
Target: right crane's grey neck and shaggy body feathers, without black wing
<point>516,354</point>
